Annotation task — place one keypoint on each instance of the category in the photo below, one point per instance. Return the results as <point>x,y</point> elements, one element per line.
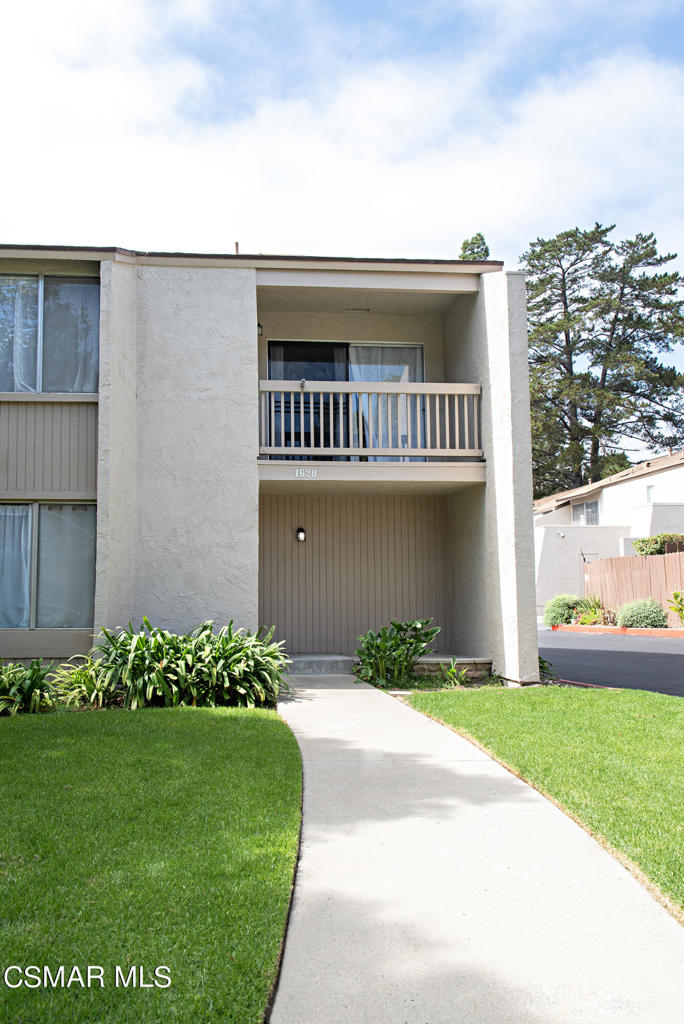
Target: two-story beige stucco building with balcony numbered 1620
<point>172,424</point>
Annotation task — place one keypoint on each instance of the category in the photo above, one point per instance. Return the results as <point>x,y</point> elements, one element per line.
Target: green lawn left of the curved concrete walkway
<point>153,838</point>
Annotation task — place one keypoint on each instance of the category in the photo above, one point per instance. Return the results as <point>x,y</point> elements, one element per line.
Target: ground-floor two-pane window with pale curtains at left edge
<point>50,584</point>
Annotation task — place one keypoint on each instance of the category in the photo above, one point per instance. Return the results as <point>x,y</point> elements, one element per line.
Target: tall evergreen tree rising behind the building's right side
<point>601,317</point>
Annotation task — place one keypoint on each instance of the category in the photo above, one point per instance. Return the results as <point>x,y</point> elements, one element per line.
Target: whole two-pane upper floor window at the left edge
<point>50,332</point>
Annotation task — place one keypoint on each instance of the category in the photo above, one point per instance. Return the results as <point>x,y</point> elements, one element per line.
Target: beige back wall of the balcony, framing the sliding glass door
<point>423,329</point>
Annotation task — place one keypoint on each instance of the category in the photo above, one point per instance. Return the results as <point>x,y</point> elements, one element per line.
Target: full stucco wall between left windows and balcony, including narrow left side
<point>179,493</point>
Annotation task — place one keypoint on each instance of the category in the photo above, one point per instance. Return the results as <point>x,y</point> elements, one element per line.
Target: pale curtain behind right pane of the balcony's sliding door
<point>381,365</point>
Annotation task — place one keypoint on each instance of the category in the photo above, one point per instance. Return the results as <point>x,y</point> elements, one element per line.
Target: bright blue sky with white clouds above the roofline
<point>351,129</point>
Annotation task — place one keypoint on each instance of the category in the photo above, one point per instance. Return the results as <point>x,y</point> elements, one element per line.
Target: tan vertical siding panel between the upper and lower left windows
<point>49,449</point>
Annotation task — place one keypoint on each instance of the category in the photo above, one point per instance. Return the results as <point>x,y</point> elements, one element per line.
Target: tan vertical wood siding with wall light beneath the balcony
<point>366,561</point>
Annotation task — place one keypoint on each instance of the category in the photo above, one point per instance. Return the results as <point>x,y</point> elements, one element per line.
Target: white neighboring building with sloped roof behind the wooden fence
<point>602,520</point>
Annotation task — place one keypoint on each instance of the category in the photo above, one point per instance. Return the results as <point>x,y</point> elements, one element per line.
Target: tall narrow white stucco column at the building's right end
<point>509,483</point>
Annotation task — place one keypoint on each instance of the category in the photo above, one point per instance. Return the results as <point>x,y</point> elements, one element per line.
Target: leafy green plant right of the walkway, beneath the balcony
<point>389,658</point>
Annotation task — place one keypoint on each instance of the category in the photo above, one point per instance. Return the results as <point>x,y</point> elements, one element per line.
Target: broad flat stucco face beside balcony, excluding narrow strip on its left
<point>198,488</point>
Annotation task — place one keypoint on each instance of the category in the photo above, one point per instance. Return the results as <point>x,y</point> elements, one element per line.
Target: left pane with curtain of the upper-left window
<point>19,332</point>
